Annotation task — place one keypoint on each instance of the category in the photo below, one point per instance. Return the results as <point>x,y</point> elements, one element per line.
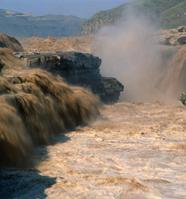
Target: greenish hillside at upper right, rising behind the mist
<point>169,13</point>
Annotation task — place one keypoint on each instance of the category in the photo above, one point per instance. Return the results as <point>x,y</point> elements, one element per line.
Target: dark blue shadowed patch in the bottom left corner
<point>23,184</point>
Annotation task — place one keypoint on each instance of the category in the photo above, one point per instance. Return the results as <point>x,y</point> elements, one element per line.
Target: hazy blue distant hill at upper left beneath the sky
<point>25,25</point>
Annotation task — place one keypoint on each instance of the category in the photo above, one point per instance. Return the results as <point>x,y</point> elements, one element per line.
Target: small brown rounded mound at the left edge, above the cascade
<point>10,42</point>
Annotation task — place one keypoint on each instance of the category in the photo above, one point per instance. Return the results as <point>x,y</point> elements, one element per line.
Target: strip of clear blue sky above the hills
<point>82,8</point>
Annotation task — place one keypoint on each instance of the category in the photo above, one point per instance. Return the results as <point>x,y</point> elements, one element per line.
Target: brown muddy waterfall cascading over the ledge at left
<point>36,106</point>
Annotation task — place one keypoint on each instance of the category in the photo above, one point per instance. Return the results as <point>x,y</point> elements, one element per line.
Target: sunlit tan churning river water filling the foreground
<point>135,151</point>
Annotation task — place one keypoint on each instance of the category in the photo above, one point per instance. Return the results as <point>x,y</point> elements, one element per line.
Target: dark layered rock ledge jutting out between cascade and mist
<point>80,69</point>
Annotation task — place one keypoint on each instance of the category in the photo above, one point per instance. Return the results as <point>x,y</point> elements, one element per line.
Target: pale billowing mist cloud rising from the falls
<point>130,52</point>
